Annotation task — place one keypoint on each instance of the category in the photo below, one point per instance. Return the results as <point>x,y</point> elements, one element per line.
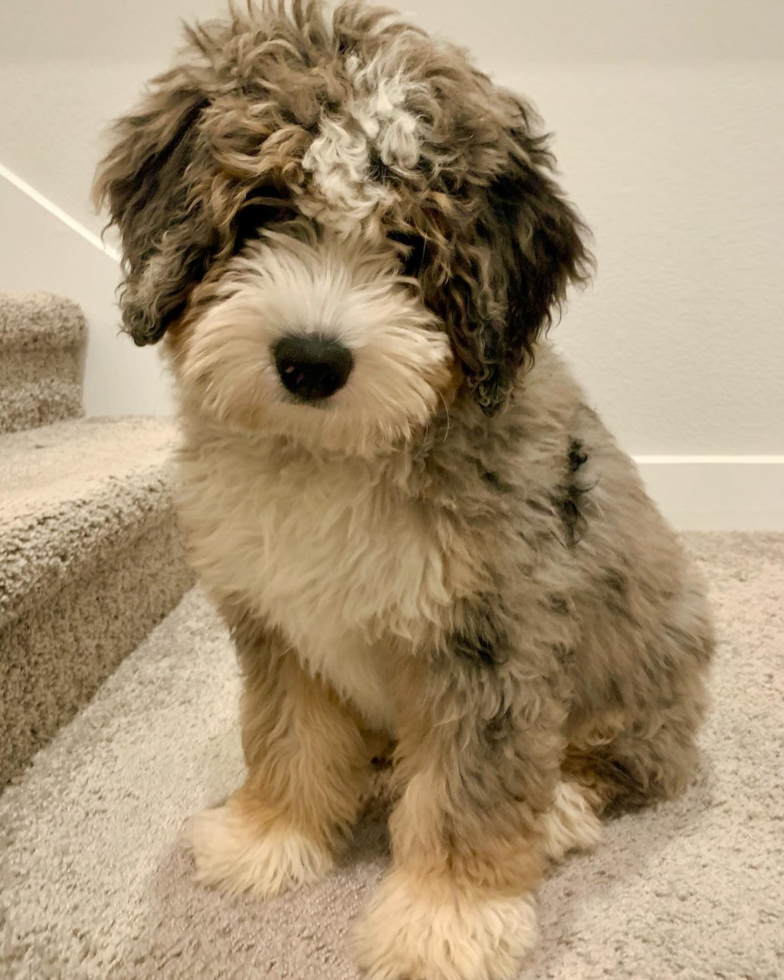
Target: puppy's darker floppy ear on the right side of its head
<point>512,273</point>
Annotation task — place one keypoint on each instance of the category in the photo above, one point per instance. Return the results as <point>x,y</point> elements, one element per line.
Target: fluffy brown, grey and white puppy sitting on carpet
<point>351,241</point>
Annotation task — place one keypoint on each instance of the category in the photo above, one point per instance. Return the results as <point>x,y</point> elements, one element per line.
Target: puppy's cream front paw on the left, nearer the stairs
<point>235,854</point>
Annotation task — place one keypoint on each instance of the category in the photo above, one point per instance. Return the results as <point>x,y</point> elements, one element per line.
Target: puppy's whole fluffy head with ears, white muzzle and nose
<point>338,223</point>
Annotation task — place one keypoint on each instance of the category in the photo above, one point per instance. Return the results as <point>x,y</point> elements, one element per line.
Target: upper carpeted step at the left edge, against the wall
<point>42,338</point>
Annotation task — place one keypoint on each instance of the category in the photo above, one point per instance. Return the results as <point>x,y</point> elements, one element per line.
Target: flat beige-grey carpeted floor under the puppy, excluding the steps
<point>96,883</point>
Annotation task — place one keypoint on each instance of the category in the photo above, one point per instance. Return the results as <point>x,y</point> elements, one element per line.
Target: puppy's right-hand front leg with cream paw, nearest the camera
<point>478,762</point>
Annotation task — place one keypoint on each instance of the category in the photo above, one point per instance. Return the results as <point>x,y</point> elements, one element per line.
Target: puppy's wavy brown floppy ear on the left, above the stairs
<point>144,180</point>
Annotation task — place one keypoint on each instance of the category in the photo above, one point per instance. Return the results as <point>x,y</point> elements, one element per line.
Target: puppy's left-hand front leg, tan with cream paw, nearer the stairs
<point>307,767</point>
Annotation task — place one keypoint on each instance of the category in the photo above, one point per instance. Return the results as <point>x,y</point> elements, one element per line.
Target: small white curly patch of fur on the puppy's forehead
<point>374,121</point>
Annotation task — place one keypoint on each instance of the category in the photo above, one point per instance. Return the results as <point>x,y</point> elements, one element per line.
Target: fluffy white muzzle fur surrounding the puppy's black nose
<point>341,290</point>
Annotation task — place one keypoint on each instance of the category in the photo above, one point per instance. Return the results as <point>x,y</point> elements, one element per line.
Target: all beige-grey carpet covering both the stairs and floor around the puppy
<point>95,881</point>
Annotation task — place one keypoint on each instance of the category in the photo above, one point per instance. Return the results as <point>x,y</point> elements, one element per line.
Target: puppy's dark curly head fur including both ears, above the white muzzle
<point>355,118</point>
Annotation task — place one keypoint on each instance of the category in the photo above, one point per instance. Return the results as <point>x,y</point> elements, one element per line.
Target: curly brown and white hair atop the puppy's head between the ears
<point>357,121</point>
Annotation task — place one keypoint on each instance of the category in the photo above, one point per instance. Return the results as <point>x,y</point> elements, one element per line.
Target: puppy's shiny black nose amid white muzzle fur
<point>312,367</point>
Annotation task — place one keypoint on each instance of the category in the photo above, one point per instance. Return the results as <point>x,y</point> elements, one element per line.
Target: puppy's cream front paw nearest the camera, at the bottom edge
<point>413,931</point>
